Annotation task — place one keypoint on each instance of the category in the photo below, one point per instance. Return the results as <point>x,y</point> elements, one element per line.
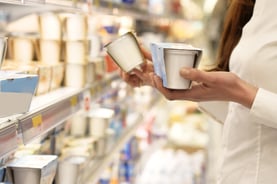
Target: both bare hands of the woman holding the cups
<point>207,86</point>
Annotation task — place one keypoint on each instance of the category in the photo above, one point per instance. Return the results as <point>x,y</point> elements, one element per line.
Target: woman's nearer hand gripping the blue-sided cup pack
<point>208,86</point>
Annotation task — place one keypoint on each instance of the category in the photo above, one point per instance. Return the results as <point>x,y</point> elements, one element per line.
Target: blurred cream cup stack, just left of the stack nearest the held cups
<point>50,49</point>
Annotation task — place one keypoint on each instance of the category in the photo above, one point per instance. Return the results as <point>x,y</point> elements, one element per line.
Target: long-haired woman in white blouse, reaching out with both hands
<point>249,50</point>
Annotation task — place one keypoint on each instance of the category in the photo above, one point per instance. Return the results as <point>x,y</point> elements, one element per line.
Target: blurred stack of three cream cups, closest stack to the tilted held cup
<point>76,51</point>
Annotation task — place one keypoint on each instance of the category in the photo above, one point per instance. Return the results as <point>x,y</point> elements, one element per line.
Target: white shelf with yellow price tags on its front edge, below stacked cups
<point>46,112</point>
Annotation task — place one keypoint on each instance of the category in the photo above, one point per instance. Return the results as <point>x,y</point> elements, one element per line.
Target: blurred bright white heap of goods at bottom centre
<point>173,166</point>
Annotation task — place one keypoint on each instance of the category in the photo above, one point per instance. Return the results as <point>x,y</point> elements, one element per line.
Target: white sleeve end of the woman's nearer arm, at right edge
<point>265,107</point>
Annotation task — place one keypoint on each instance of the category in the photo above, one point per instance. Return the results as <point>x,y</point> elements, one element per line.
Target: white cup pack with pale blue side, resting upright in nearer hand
<point>169,58</point>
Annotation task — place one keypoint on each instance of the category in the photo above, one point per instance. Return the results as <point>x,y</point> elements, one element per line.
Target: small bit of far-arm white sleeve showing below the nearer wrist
<point>216,109</point>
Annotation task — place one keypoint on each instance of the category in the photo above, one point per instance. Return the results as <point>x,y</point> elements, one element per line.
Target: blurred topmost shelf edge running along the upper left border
<point>103,7</point>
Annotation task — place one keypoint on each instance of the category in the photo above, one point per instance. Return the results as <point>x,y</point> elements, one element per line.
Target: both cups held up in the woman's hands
<point>168,58</point>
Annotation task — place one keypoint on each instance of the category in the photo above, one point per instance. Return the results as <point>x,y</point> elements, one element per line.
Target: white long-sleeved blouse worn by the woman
<point>250,135</point>
